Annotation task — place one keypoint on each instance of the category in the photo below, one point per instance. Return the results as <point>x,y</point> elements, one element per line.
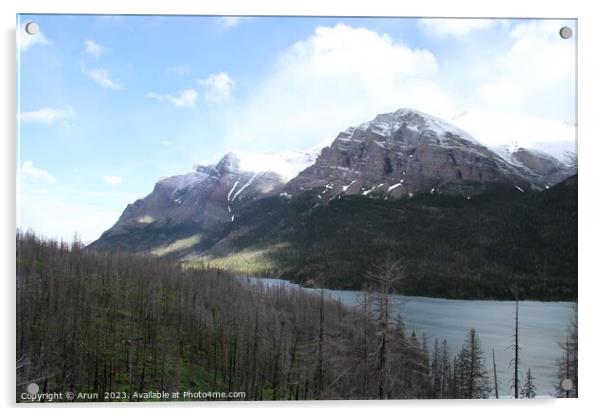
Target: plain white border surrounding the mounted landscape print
<point>590,155</point>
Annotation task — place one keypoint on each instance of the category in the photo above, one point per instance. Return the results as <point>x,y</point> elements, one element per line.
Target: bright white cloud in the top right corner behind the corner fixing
<point>529,95</point>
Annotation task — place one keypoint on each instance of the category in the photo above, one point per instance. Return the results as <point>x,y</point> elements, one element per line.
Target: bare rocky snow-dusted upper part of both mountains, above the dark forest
<point>396,154</point>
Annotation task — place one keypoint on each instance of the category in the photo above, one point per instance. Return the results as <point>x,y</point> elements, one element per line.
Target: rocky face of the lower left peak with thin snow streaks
<point>208,196</point>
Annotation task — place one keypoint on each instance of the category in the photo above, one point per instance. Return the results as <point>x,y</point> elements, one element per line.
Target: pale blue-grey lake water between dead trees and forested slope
<point>542,325</point>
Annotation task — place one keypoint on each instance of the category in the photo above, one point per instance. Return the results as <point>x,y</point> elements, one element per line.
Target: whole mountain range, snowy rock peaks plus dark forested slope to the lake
<point>466,221</point>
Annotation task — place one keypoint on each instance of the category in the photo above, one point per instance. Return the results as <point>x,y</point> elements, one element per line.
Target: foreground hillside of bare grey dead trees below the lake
<point>90,322</point>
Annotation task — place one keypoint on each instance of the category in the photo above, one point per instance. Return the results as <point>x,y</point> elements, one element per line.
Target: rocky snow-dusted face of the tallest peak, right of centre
<point>407,151</point>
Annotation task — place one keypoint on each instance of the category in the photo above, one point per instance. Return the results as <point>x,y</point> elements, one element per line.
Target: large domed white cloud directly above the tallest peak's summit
<point>339,76</point>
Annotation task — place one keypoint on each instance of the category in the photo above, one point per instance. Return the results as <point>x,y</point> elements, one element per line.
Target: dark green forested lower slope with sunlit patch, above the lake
<point>451,246</point>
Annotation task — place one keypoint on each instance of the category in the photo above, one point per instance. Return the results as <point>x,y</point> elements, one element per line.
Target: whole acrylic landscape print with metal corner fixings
<point>295,208</point>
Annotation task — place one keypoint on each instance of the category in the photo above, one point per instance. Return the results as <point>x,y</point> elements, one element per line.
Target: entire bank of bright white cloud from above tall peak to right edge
<point>342,76</point>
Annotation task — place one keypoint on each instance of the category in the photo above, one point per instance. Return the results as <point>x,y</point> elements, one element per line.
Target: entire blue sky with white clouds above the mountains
<point>107,105</point>
